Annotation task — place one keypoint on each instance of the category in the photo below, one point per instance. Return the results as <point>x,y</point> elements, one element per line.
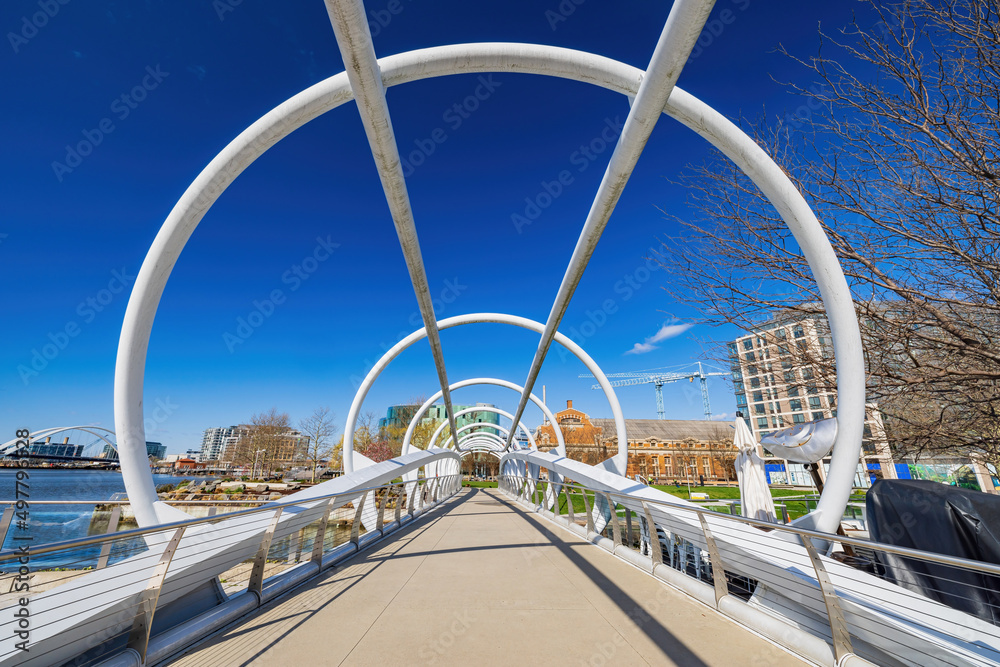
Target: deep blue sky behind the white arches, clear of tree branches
<point>159,88</point>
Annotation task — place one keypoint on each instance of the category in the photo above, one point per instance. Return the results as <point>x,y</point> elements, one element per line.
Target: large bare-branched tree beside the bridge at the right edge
<point>900,157</point>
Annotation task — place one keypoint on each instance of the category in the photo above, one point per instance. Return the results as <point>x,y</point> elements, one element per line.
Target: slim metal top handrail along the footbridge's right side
<point>907,552</point>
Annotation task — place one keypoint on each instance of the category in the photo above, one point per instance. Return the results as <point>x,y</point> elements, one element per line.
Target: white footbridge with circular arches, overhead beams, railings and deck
<point>259,585</point>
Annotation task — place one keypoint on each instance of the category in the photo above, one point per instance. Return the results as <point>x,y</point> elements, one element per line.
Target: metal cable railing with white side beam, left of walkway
<point>248,557</point>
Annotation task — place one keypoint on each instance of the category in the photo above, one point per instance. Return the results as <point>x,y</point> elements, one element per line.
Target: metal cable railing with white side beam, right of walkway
<point>856,605</point>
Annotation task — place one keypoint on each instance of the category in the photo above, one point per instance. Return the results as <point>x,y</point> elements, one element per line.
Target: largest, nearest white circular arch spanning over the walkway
<point>484,58</point>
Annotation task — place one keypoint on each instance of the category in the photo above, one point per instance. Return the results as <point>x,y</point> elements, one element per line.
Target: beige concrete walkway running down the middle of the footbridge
<point>480,581</point>
